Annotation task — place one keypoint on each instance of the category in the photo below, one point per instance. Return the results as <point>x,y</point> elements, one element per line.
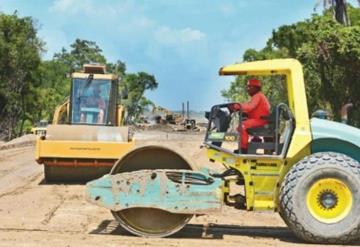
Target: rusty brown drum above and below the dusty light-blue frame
<point>151,222</point>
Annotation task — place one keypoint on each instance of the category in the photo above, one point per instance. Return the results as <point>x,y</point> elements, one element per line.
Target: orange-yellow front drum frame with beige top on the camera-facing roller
<point>99,144</point>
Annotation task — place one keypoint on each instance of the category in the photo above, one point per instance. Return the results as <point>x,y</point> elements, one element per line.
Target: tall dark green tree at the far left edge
<point>20,50</point>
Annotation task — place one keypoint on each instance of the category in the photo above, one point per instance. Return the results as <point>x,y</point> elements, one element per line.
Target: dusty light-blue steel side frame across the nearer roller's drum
<point>175,191</point>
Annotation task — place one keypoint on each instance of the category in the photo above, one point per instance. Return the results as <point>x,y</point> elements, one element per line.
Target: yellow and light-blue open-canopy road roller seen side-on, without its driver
<point>306,169</point>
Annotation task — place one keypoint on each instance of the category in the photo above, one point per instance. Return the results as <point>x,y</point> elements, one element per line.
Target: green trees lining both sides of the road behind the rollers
<point>31,87</point>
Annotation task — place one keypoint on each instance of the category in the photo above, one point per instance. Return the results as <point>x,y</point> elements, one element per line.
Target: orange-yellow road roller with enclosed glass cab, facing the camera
<point>86,136</point>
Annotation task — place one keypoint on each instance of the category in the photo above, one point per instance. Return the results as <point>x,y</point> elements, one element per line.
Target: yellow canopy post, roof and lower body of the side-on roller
<point>263,174</point>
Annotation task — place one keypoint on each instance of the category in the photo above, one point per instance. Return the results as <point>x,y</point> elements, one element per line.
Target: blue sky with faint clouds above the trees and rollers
<point>183,43</point>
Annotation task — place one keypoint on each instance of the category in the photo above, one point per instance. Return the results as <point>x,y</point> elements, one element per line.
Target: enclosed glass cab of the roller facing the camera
<point>93,97</point>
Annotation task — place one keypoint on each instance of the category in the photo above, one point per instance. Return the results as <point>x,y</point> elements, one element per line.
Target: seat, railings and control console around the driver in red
<point>272,139</point>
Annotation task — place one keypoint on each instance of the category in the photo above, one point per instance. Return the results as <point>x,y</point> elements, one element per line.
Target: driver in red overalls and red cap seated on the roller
<point>257,109</point>
